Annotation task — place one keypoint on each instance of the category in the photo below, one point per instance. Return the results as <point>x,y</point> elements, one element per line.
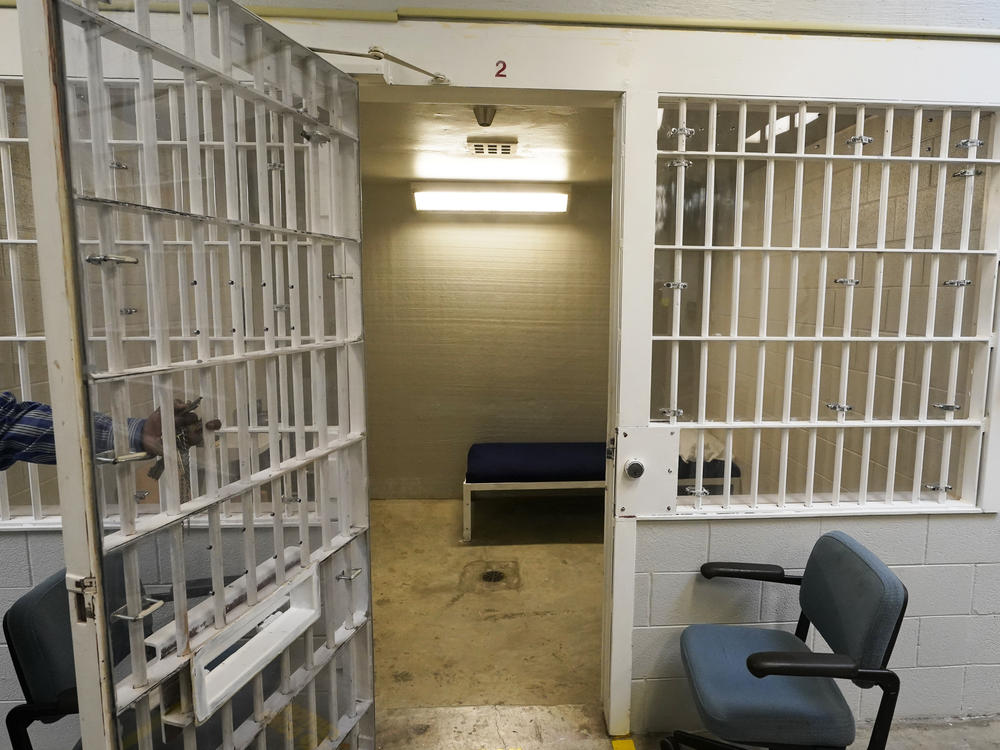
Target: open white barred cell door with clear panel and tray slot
<point>196,183</point>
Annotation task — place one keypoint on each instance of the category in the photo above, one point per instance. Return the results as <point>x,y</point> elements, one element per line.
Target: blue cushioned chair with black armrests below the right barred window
<point>766,688</point>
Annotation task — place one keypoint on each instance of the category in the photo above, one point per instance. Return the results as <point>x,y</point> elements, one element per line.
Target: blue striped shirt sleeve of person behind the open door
<point>26,432</point>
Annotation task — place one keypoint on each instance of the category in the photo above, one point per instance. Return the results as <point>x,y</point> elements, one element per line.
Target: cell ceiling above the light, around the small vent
<point>422,141</point>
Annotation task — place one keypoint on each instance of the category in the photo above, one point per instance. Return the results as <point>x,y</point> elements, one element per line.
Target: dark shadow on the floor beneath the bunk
<point>570,517</point>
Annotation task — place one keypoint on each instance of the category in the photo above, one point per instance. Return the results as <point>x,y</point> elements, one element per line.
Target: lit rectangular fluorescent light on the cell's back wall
<point>491,198</point>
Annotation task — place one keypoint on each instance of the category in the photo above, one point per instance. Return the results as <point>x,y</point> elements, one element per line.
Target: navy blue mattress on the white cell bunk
<point>535,462</point>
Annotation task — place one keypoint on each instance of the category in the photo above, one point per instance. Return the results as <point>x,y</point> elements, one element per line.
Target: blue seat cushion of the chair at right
<point>739,707</point>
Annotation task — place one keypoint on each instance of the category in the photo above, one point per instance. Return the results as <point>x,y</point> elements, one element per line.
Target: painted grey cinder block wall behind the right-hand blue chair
<point>948,650</point>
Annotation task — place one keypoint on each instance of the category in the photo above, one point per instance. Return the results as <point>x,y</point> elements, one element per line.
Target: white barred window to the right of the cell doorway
<point>825,281</point>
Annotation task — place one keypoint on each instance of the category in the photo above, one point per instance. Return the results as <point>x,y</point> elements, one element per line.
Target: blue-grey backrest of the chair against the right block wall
<point>853,599</point>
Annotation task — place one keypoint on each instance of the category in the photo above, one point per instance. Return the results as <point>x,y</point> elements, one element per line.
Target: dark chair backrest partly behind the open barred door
<point>37,631</point>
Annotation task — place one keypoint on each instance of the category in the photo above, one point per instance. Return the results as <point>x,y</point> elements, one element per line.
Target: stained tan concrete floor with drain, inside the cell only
<point>443,637</point>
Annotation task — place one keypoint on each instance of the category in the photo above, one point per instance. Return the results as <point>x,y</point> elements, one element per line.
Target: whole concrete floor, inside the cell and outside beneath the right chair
<point>461,664</point>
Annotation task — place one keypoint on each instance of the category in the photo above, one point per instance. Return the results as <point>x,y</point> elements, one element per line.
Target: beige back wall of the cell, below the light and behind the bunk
<point>480,329</point>
